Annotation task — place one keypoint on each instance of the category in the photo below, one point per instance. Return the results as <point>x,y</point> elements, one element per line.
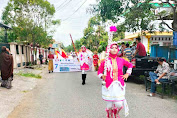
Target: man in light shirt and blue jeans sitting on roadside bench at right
<point>160,75</point>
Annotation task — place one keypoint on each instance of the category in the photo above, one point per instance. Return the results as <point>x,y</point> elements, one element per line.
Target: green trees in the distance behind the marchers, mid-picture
<point>94,37</point>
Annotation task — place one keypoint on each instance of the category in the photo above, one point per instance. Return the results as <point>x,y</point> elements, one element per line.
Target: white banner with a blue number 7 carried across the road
<point>66,65</point>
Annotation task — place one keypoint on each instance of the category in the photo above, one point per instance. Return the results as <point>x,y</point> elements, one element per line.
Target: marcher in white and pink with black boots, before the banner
<point>83,57</point>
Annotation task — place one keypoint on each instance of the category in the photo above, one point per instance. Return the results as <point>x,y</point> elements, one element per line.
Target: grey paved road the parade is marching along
<point>61,95</point>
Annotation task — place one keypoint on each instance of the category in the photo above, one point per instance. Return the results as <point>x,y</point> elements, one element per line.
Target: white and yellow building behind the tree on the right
<point>158,38</point>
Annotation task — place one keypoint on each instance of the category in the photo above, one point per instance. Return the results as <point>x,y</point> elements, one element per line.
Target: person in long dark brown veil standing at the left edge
<point>6,67</point>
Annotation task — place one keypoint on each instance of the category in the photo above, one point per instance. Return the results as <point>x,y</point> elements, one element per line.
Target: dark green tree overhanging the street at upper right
<point>138,15</point>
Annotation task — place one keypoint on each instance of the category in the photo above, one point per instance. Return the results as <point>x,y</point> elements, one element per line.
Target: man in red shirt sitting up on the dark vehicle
<point>140,49</point>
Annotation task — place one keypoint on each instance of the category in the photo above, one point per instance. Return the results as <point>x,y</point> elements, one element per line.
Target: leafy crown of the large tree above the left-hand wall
<point>30,20</point>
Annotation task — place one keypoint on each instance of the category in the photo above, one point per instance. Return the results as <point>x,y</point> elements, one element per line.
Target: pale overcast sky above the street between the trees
<point>71,21</point>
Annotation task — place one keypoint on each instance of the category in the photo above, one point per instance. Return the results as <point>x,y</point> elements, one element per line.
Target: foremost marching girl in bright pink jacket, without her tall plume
<point>114,89</point>
